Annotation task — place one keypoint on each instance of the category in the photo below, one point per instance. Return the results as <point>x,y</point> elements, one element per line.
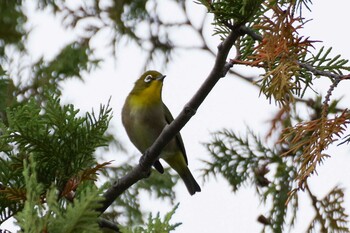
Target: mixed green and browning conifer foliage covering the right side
<point>289,65</point>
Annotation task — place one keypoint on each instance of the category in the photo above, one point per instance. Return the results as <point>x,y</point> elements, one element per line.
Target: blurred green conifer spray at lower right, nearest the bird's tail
<point>242,160</point>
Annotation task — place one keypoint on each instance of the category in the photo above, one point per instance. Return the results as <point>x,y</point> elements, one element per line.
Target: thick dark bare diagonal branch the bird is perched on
<point>152,154</point>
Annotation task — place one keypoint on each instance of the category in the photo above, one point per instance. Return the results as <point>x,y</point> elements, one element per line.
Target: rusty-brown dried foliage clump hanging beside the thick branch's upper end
<point>279,52</point>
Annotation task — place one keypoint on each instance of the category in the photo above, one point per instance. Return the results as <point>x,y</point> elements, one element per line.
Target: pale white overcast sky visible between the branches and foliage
<point>232,104</point>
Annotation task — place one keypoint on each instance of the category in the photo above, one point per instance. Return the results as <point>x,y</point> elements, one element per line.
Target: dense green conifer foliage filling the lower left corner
<point>37,144</point>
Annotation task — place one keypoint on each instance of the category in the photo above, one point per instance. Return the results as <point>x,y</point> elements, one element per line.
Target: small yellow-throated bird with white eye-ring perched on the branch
<point>144,116</point>
